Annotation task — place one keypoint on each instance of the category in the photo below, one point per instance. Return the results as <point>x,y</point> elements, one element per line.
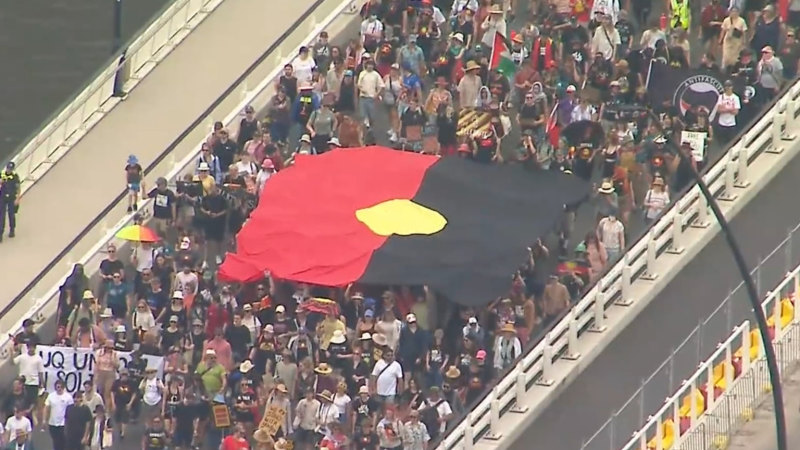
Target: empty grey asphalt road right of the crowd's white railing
<point>641,348</point>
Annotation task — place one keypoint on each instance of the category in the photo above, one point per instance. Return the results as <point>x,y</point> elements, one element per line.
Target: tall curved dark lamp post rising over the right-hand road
<point>758,311</point>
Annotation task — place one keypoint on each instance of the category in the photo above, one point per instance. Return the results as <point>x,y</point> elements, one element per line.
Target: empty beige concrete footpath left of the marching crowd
<point>88,178</point>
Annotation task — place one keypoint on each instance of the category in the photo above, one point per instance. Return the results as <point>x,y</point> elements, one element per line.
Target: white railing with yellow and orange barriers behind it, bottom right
<point>722,394</point>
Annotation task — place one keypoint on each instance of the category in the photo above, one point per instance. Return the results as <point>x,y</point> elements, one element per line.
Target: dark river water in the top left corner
<point>49,50</point>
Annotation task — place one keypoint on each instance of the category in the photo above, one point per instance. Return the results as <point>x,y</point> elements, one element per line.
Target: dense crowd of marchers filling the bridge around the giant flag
<point>390,366</point>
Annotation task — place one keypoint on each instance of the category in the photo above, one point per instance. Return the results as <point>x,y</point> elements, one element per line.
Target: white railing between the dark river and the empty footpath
<point>84,111</point>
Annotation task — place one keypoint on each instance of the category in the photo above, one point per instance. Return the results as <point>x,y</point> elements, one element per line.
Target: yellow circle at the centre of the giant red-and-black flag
<point>402,217</point>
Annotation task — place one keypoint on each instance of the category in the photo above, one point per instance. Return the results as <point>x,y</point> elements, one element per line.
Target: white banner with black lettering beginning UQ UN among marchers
<point>74,366</point>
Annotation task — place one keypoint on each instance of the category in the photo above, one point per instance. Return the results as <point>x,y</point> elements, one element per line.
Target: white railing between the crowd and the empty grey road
<point>767,135</point>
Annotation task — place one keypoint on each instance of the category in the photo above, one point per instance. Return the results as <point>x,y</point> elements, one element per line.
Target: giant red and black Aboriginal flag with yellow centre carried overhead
<point>381,216</point>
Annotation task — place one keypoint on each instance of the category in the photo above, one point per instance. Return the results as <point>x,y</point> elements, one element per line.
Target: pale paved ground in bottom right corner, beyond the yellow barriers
<point>760,433</point>
